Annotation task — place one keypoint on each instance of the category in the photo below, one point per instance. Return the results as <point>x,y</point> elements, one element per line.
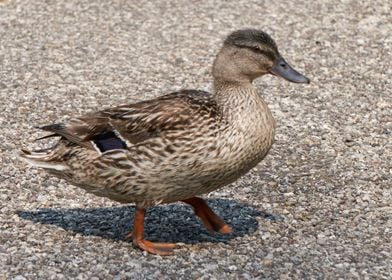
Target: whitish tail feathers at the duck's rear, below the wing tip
<point>42,159</point>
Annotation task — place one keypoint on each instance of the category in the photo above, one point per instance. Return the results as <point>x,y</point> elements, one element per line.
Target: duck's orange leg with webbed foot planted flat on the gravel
<point>138,237</point>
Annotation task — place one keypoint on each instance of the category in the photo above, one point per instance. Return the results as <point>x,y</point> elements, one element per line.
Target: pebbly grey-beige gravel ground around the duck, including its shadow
<point>319,205</point>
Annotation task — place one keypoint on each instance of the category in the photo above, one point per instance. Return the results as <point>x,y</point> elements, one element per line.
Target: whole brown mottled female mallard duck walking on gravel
<point>177,146</point>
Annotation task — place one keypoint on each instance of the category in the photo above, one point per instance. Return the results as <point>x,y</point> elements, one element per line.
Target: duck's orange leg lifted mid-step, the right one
<point>210,220</point>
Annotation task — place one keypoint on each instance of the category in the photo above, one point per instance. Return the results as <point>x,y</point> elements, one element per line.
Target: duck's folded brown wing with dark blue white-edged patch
<point>128,125</point>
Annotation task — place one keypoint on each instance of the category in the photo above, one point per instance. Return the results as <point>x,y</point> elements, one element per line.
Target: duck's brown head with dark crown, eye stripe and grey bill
<point>248,54</point>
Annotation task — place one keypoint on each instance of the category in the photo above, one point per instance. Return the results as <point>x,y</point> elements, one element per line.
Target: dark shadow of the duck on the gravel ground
<point>167,223</point>
